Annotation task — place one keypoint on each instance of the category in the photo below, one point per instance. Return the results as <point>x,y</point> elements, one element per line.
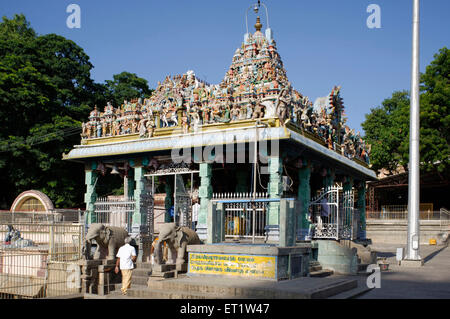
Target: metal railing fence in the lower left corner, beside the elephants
<point>35,258</point>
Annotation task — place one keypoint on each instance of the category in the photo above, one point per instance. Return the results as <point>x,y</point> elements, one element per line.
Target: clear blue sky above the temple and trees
<point>322,43</point>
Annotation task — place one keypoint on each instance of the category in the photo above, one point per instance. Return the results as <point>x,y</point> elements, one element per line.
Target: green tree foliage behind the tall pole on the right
<point>387,126</point>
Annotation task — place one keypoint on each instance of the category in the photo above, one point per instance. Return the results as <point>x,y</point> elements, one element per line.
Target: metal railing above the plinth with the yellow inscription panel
<point>245,218</point>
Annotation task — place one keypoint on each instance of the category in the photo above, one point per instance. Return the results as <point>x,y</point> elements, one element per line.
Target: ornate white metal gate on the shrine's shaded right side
<point>332,214</point>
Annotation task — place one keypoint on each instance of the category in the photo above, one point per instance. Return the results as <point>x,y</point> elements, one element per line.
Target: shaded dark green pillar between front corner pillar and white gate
<point>304,197</point>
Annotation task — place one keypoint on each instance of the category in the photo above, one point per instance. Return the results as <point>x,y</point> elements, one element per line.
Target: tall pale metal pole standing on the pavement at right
<point>412,249</point>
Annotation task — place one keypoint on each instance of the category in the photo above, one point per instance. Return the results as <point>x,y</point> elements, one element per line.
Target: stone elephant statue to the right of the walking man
<point>177,239</point>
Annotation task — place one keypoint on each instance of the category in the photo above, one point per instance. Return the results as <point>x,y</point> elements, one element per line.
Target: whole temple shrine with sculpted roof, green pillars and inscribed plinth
<point>269,168</point>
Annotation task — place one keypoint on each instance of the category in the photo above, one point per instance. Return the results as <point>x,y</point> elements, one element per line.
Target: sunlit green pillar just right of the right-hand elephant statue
<point>205,194</point>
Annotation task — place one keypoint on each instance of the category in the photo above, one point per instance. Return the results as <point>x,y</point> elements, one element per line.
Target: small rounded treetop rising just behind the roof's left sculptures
<point>125,86</point>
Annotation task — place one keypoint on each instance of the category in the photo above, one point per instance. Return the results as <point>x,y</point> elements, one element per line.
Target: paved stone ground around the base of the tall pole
<point>432,281</point>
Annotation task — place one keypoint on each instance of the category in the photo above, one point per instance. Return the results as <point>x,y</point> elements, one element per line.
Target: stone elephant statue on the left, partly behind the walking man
<point>108,238</point>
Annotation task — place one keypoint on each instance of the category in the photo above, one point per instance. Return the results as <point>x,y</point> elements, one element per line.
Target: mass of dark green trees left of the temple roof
<point>46,91</point>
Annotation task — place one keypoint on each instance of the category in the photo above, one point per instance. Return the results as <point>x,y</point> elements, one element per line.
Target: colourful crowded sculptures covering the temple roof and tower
<point>254,87</point>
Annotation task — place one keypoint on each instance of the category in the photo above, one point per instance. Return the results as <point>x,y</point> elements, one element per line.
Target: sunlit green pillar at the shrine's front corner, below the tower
<point>274,189</point>
